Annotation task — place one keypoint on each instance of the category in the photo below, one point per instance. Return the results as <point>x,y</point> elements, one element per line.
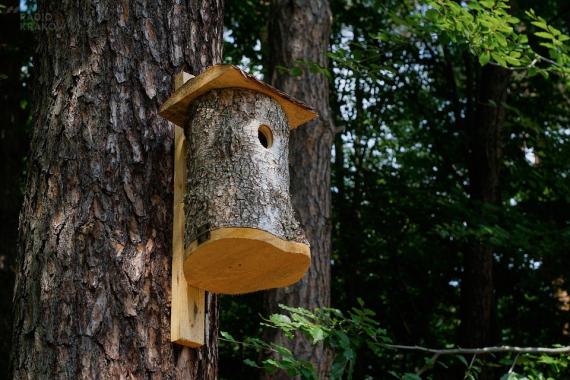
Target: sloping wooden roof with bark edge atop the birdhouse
<point>175,109</point>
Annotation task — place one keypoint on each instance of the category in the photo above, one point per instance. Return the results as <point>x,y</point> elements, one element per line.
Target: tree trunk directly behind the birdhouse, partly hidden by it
<point>301,31</point>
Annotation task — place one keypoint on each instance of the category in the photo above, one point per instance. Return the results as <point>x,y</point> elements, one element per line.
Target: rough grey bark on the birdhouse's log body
<point>233,179</point>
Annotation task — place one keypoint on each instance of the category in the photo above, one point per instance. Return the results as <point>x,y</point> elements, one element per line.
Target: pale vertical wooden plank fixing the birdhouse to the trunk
<point>188,314</point>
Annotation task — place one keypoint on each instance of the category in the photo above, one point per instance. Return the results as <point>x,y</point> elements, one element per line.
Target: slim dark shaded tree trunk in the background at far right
<point>484,163</point>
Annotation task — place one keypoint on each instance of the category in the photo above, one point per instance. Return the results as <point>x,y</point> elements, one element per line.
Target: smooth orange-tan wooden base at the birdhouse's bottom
<point>243,260</point>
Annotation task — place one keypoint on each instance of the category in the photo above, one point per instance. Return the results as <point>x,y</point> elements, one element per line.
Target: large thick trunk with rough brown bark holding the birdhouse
<point>92,295</point>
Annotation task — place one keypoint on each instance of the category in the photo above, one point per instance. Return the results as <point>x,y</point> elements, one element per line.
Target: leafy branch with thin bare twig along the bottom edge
<point>351,334</point>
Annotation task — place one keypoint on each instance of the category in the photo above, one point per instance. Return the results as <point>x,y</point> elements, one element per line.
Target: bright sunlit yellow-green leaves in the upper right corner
<point>495,36</point>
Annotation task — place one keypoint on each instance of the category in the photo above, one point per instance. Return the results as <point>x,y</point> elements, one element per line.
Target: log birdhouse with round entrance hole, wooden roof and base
<point>237,231</point>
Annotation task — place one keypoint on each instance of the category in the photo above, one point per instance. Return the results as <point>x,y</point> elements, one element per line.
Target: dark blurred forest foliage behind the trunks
<point>450,179</point>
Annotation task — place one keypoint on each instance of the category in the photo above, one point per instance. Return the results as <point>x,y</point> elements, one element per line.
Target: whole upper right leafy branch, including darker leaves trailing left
<point>485,28</point>
